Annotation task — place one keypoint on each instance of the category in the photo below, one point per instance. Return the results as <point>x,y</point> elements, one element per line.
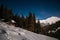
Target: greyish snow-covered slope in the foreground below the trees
<point>15,33</point>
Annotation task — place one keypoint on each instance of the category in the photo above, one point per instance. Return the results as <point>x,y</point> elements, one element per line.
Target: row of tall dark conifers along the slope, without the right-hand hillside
<point>28,22</point>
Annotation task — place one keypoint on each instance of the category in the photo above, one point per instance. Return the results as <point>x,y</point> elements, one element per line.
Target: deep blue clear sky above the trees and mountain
<point>42,8</point>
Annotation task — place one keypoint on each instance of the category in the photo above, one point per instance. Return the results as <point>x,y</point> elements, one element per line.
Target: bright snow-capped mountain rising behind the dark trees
<point>49,20</point>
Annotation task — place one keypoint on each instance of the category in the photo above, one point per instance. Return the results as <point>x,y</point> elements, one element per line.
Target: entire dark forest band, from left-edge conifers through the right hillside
<point>29,22</point>
